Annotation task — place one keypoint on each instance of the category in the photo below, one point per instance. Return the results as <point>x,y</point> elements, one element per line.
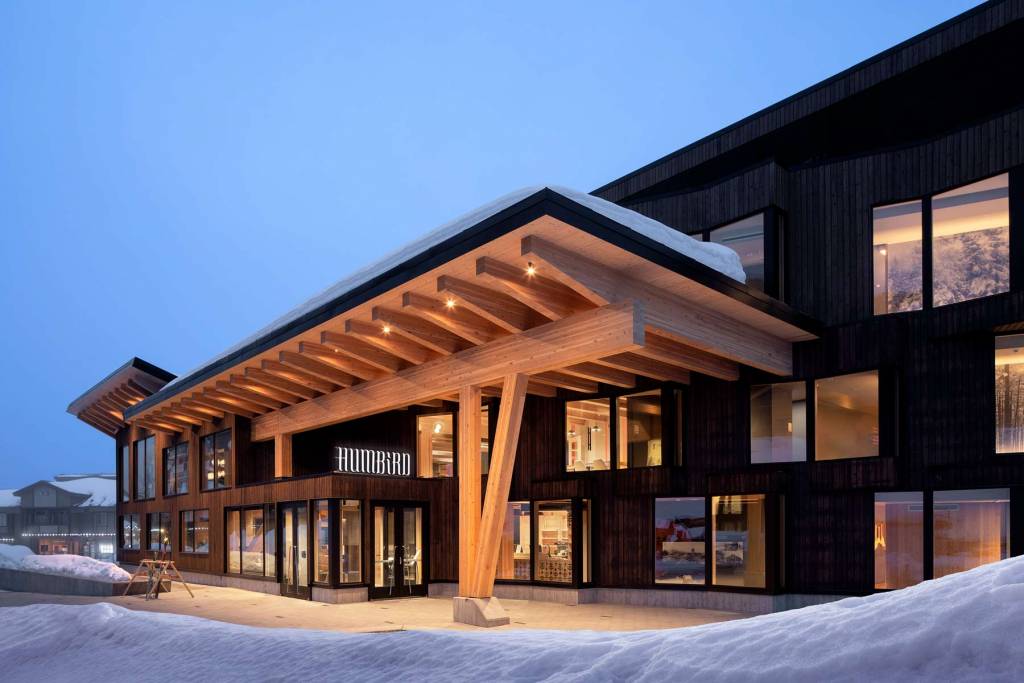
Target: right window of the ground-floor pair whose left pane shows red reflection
<point>739,539</point>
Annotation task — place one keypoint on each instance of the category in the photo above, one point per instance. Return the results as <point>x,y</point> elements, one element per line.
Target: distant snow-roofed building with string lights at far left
<point>72,515</point>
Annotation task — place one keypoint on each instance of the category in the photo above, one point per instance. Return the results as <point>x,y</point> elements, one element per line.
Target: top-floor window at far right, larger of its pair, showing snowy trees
<point>971,241</point>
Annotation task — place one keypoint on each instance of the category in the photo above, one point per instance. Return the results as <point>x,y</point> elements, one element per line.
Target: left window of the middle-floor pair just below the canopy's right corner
<point>779,423</point>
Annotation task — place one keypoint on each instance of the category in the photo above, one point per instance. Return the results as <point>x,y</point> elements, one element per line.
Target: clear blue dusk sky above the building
<point>176,176</point>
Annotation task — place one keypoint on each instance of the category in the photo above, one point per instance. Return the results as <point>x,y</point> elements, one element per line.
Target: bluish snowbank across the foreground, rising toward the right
<point>965,627</point>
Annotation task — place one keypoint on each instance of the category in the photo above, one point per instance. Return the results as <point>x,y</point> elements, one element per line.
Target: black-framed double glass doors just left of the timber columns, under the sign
<point>400,563</point>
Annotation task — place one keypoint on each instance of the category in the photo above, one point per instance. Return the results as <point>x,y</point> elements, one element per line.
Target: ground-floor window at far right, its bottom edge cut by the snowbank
<point>971,529</point>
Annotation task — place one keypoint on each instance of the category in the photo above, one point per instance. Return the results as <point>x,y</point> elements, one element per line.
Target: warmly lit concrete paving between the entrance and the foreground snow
<point>237,607</point>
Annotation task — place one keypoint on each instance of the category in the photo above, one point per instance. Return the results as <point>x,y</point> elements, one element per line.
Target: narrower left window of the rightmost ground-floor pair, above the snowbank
<point>900,540</point>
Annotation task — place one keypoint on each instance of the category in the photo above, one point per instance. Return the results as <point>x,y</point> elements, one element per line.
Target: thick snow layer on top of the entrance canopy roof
<point>715,257</point>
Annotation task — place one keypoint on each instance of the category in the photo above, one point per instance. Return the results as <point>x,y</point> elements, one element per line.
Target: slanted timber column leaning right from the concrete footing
<point>499,483</point>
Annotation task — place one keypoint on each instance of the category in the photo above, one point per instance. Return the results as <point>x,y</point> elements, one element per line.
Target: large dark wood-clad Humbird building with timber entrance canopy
<point>830,406</point>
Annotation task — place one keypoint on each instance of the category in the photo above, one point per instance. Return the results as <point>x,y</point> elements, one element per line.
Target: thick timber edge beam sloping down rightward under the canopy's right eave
<point>699,327</point>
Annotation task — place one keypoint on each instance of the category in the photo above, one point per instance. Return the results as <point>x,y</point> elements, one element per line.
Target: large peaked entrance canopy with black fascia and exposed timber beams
<point>470,301</point>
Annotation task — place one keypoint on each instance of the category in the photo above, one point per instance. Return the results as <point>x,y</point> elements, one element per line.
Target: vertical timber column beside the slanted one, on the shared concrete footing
<point>470,486</point>
